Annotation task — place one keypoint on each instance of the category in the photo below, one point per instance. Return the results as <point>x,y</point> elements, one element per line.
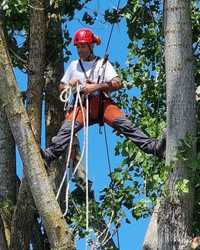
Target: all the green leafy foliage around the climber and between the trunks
<point>140,178</point>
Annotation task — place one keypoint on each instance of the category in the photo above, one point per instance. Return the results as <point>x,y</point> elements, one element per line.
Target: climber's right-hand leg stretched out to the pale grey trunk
<point>116,119</point>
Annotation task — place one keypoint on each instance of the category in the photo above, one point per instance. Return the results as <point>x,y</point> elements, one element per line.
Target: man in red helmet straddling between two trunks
<point>97,78</point>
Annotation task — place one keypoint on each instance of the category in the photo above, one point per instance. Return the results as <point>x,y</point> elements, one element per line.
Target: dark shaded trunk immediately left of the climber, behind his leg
<point>54,114</point>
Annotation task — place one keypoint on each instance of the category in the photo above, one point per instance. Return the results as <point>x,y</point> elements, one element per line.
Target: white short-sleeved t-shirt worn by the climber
<point>92,69</point>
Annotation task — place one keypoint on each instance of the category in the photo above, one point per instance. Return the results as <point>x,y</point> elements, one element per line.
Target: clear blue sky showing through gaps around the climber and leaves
<point>131,236</point>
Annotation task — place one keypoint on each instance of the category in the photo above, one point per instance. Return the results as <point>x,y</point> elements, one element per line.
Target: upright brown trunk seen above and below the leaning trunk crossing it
<point>25,208</point>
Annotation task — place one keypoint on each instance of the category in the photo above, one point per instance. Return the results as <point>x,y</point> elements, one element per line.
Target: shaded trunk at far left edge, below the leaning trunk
<point>7,176</point>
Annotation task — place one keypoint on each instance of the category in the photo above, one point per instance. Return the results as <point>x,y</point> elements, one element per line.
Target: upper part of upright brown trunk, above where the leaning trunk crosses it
<point>36,65</point>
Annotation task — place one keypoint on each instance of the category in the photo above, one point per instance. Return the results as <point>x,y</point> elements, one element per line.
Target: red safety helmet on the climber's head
<point>86,36</point>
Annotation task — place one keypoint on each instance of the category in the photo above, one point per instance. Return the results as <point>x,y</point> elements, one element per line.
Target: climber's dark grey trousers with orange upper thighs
<point>112,115</point>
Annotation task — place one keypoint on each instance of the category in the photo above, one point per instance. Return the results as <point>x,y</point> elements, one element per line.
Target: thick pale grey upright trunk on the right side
<point>175,216</point>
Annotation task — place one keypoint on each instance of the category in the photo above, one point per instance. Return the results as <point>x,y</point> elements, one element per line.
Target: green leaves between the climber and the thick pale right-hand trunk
<point>146,108</point>
